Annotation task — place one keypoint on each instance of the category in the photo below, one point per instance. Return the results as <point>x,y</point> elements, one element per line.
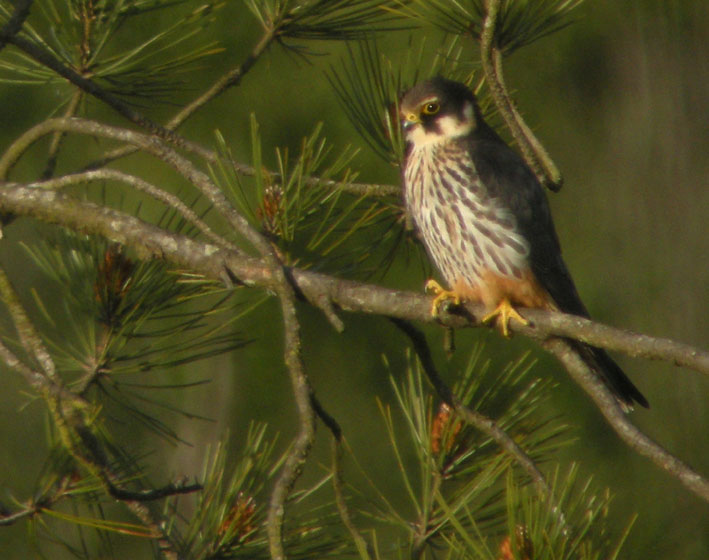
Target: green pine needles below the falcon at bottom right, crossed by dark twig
<point>465,496</point>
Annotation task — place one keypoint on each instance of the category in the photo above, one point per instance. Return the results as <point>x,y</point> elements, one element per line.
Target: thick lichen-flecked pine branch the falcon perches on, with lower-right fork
<point>54,207</point>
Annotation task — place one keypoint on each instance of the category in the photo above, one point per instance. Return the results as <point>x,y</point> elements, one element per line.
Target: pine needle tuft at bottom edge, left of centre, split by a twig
<point>229,515</point>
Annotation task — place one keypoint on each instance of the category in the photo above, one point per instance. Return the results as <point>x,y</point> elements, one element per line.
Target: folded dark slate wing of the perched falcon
<point>506,176</point>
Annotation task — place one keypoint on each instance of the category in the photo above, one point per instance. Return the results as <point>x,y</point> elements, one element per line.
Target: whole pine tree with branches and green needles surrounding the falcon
<point>173,263</point>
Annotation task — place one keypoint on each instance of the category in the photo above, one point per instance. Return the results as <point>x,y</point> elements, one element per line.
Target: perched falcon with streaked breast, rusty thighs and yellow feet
<point>485,221</point>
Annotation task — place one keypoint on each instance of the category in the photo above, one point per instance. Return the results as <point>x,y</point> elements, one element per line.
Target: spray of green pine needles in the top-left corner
<point>97,38</point>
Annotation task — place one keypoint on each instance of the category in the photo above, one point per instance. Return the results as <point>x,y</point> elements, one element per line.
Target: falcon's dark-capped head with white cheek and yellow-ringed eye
<point>437,110</point>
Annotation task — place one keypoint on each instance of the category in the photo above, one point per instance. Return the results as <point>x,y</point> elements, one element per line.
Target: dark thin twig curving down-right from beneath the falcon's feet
<point>472,417</point>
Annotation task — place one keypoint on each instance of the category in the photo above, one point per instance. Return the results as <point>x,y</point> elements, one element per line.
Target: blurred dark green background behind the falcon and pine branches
<point>620,99</point>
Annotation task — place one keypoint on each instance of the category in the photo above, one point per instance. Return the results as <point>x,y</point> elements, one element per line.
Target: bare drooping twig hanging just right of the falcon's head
<point>491,57</point>
